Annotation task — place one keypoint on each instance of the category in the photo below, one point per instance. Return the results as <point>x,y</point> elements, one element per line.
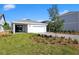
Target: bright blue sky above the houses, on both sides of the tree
<point>32,11</point>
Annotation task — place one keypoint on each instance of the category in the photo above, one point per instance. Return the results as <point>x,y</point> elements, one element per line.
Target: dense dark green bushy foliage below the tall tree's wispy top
<point>55,26</point>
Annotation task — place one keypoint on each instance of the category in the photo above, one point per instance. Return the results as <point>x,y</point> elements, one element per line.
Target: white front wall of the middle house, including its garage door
<point>31,28</point>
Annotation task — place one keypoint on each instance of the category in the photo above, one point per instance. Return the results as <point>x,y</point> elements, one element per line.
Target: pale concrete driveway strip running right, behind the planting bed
<point>63,35</point>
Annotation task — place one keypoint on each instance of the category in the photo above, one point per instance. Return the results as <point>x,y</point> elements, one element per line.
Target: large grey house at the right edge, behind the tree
<point>71,21</point>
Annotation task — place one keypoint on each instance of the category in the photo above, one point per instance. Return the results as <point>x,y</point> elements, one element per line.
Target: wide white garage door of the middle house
<point>36,28</point>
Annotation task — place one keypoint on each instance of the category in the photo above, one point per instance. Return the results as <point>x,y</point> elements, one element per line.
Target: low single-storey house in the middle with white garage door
<point>28,26</point>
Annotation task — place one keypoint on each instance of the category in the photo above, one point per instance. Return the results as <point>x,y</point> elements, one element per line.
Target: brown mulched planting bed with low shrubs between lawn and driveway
<point>54,40</point>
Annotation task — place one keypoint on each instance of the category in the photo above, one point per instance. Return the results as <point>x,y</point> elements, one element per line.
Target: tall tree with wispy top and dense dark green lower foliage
<point>56,24</point>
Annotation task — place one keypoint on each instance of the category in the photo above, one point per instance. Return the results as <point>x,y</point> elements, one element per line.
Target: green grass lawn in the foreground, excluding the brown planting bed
<point>22,44</point>
